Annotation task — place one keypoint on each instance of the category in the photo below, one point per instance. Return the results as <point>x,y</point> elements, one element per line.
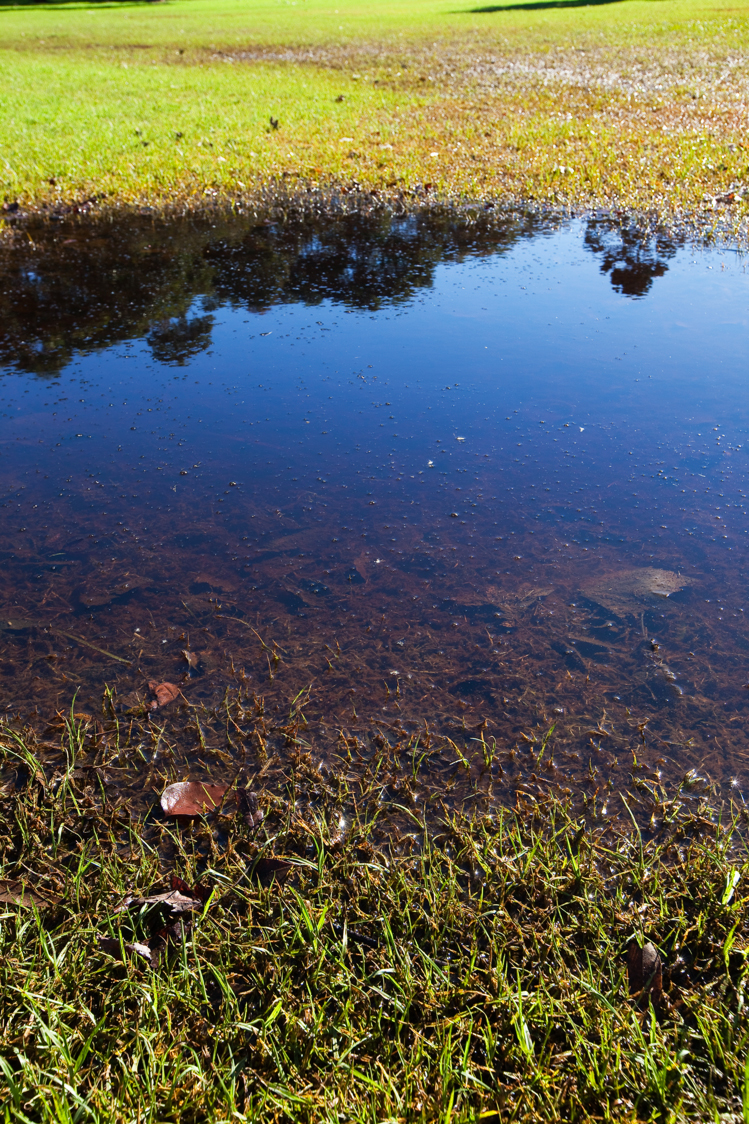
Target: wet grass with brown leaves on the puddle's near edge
<point>463,969</point>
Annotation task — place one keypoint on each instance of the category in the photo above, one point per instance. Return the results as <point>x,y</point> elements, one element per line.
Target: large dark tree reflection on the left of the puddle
<point>87,287</point>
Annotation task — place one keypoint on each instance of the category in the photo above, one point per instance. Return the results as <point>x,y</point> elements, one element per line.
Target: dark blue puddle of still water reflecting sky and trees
<point>463,479</point>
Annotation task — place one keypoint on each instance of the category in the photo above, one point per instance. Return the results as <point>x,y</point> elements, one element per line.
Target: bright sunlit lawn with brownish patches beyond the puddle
<point>636,104</point>
